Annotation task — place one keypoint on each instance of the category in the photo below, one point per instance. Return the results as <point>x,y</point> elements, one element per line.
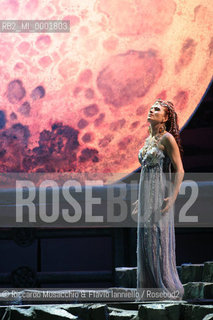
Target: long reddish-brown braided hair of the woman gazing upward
<point>172,122</point>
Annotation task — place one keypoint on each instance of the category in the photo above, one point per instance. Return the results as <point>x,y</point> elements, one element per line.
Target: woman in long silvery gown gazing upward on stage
<point>156,260</point>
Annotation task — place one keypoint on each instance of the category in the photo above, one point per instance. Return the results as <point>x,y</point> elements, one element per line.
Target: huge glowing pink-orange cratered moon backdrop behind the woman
<point>78,101</point>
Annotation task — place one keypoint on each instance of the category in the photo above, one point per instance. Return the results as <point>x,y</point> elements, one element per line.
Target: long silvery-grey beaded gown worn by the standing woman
<point>156,259</point>
